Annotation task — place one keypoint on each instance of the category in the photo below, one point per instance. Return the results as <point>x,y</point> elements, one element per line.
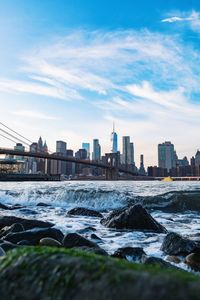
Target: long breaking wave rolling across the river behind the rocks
<point>103,200</point>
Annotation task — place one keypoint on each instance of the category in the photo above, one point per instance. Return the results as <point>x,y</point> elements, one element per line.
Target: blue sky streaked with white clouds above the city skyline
<point>69,68</point>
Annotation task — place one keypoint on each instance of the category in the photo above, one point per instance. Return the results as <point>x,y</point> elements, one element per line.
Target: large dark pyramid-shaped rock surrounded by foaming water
<point>134,217</point>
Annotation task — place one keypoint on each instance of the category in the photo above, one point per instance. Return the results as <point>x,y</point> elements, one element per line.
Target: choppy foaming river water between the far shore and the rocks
<point>176,205</point>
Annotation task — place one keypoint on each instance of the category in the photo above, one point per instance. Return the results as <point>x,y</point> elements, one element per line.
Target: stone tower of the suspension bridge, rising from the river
<point>112,159</point>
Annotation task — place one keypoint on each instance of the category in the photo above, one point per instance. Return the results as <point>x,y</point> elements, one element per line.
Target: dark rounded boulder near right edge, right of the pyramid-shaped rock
<point>175,244</point>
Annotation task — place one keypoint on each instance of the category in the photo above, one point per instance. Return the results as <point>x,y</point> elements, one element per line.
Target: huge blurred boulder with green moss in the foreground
<point>45,273</point>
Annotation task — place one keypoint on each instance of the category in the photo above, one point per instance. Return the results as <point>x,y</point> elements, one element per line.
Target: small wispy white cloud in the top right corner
<point>192,19</point>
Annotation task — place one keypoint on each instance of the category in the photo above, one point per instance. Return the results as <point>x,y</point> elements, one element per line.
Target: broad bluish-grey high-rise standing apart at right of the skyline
<point>166,156</point>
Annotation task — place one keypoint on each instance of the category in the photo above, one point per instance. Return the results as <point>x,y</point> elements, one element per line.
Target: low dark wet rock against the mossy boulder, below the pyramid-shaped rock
<point>129,253</point>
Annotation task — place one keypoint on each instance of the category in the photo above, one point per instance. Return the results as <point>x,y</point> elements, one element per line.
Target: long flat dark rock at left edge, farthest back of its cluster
<point>27,223</point>
